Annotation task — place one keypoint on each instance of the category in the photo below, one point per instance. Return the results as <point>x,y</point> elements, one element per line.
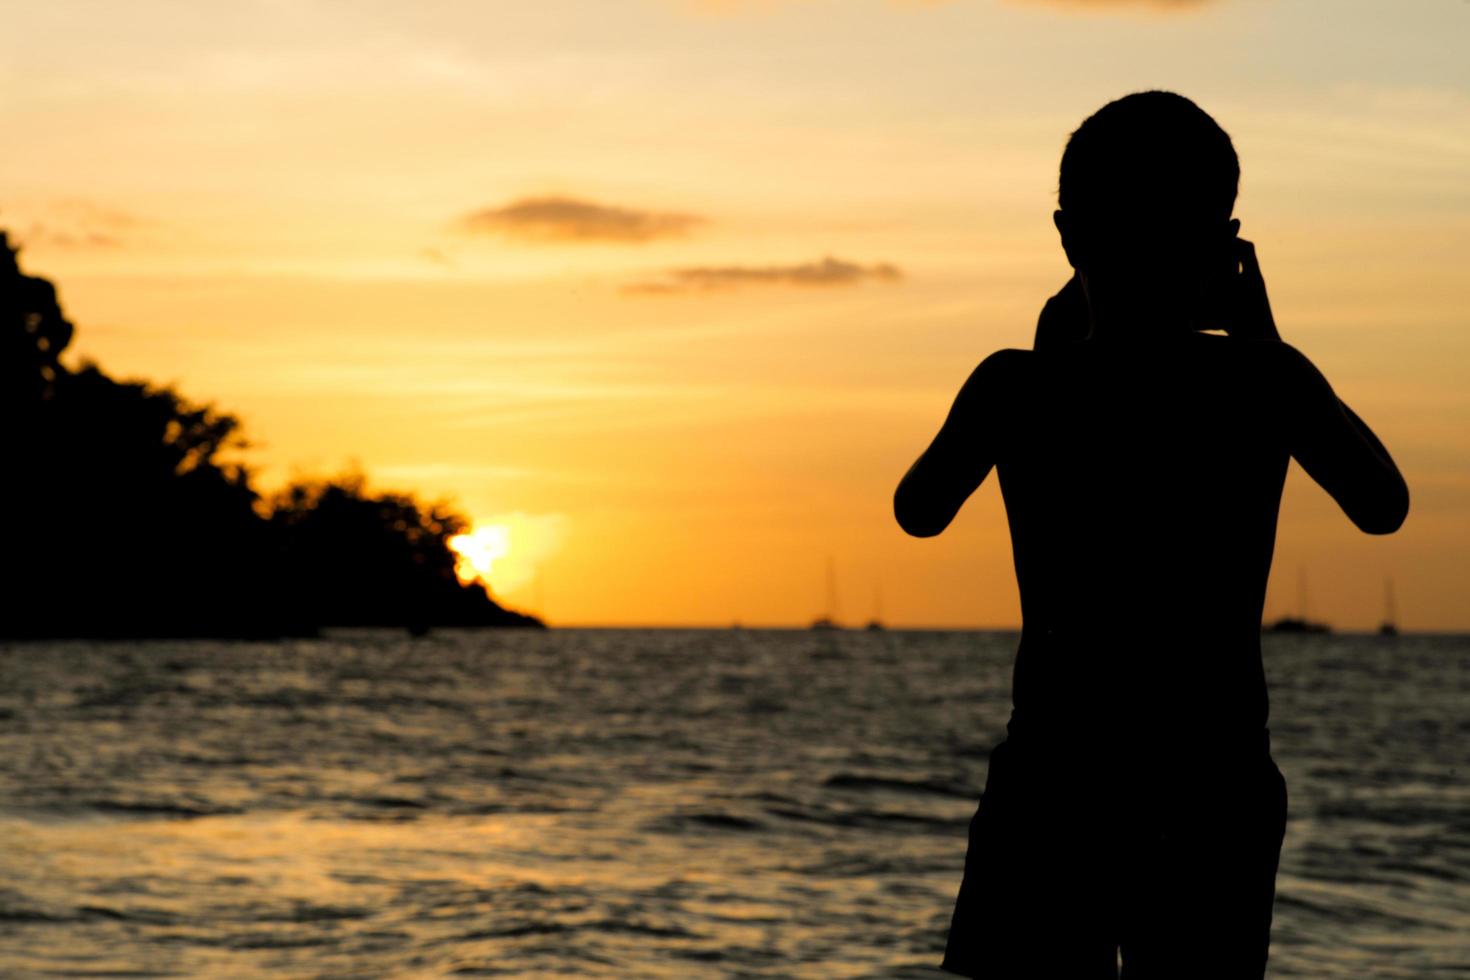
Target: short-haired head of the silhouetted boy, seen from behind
<point>1147,189</point>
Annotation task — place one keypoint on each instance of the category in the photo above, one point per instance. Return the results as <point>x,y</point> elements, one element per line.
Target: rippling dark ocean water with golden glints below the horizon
<point>637,804</point>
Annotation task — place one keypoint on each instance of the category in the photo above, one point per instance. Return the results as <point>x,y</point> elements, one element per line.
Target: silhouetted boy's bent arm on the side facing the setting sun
<point>962,455</point>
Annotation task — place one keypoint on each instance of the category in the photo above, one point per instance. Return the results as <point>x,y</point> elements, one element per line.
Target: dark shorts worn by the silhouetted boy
<point>1075,860</point>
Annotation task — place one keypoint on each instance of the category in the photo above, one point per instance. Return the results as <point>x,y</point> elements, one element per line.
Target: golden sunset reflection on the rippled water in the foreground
<point>295,896</point>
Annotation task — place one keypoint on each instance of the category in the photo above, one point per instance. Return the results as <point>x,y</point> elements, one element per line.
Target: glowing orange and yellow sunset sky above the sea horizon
<point>673,292</point>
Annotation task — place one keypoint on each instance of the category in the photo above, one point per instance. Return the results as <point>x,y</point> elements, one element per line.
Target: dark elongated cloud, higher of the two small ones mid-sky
<point>576,221</point>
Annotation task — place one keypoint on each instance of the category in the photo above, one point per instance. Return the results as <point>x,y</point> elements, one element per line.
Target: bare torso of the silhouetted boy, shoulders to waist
<point>1141,487</point>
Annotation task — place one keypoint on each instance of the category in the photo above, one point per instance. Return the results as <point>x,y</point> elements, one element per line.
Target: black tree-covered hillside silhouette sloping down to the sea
<point>126,514</point>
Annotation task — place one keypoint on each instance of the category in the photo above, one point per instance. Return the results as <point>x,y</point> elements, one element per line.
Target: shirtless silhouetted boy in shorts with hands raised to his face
<point>1134,806</point>
